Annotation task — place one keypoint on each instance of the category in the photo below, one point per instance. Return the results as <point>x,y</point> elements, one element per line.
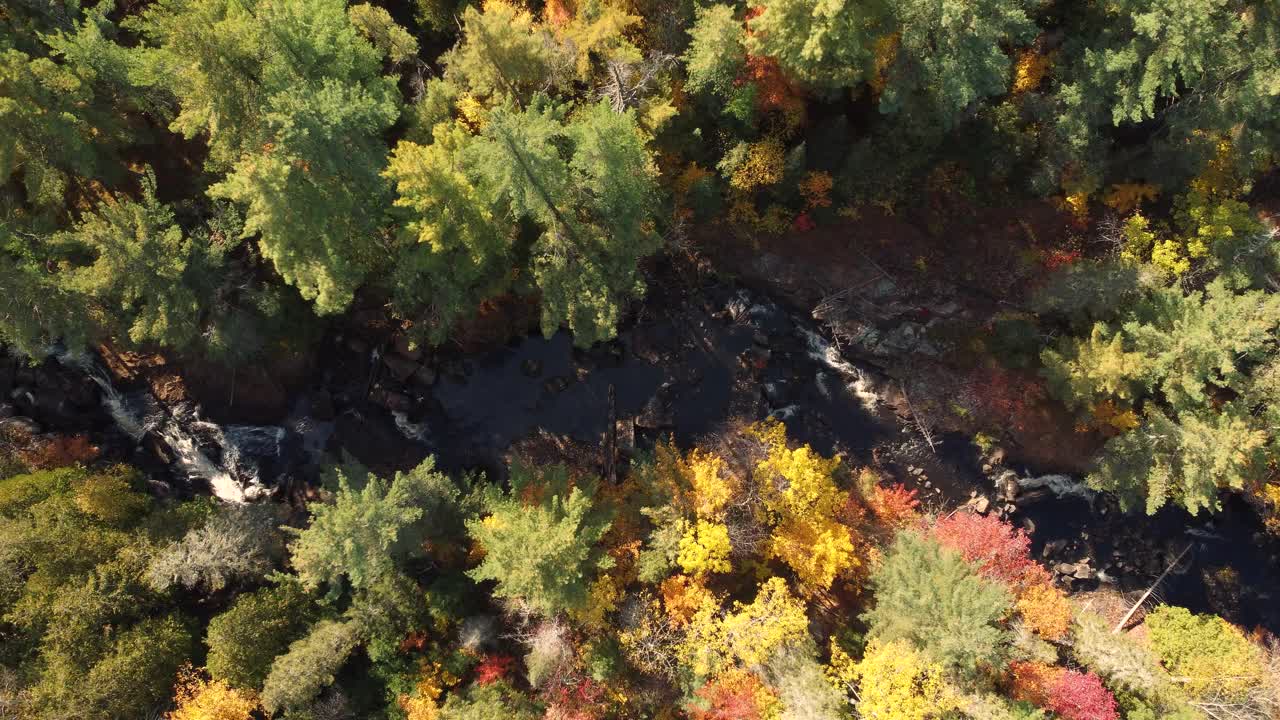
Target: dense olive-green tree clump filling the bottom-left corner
<point>76,604</point>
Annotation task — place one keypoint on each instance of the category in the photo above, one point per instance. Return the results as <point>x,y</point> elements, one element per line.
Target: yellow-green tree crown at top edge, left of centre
<point>504,53</point>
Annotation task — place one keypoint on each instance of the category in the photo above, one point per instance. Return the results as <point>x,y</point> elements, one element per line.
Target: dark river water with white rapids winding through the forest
<point>684,367</point>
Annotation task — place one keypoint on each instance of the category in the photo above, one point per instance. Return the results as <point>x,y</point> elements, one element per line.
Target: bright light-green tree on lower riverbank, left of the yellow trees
<point>543,554</point>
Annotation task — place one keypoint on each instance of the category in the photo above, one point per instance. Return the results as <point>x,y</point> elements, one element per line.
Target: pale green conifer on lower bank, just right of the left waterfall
<point>363,535</point>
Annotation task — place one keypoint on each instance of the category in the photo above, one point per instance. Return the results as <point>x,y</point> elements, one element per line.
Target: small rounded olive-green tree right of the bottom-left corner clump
<point>246,639</point>
